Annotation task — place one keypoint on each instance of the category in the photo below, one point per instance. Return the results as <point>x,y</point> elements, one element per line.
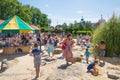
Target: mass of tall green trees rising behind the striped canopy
<point>29,14</point>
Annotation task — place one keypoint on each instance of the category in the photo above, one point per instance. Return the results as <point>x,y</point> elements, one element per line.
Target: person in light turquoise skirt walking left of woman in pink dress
<point>50,45</point>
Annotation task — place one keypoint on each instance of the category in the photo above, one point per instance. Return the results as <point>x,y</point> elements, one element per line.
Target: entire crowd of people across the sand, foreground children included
<point>52,40</point>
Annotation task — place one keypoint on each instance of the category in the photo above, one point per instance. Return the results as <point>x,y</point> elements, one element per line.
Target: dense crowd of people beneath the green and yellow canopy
<point>17,40</point>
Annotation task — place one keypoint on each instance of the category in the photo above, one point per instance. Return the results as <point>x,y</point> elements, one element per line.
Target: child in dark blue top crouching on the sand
<point>93,68</point>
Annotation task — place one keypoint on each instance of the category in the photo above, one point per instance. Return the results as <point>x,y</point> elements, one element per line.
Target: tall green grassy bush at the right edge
<point>110,33</point>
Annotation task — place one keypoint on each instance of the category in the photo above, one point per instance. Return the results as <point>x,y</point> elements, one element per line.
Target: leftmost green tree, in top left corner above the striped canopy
<point>8,8</point>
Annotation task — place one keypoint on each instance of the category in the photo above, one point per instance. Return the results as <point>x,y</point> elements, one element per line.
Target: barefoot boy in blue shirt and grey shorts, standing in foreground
<point>37,59</point>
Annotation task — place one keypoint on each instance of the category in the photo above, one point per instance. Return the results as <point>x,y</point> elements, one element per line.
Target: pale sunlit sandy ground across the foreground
<point>21,68</point>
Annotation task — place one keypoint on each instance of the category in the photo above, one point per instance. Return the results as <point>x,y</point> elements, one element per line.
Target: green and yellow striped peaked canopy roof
<point>15,25</point>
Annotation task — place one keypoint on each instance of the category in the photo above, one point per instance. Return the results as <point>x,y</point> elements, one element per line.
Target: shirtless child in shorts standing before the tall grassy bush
<point>102,51</point>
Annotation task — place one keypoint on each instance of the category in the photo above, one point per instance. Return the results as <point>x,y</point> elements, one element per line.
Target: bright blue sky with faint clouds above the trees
<point>60,11</point>
